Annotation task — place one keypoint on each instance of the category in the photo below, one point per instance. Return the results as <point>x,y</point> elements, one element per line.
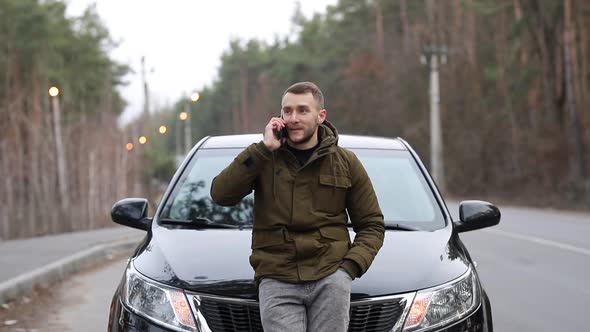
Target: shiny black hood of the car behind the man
<point>216,262</point>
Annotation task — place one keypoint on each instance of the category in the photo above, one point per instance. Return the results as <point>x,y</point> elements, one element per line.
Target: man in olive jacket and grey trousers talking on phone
<point>303,185</point>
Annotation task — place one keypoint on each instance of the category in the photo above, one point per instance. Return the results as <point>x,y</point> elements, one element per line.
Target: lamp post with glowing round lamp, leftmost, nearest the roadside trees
<point>59,149</point>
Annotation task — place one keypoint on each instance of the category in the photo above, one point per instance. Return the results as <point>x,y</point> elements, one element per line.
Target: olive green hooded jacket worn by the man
<point>300,218</point>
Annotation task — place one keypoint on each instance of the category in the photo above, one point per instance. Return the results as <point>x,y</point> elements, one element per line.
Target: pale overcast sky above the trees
<point>182,40</point>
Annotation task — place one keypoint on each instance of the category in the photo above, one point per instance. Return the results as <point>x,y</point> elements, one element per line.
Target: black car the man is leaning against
<point>191,272</point>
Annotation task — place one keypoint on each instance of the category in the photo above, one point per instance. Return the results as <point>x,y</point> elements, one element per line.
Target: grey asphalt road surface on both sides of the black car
<point>535,267</point>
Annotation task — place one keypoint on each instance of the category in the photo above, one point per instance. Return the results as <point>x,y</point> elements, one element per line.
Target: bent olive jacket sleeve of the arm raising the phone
<point>237,179</point>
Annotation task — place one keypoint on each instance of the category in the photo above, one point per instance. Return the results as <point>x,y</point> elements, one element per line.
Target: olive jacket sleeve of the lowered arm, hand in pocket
<point>366,217</point>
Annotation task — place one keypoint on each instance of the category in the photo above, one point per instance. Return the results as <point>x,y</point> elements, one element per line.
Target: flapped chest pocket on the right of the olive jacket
<point>330,193</point>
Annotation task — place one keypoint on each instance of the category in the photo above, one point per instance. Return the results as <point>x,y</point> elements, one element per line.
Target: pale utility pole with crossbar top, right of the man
<point>433,55</point>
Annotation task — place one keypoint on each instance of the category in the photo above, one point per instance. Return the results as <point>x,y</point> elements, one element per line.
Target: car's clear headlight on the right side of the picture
<point>444,304</point>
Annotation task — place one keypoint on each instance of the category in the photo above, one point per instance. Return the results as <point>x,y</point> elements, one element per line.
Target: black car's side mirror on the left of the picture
<point>131,212</point>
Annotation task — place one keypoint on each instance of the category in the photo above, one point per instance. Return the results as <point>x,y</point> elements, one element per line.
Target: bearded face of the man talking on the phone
<point>302,114</point>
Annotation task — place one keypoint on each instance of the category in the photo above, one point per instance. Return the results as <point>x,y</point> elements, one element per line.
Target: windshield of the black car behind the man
<point>403,193</point>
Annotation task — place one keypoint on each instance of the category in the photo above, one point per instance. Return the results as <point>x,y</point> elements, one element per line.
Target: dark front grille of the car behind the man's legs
<point>225,315</point>
